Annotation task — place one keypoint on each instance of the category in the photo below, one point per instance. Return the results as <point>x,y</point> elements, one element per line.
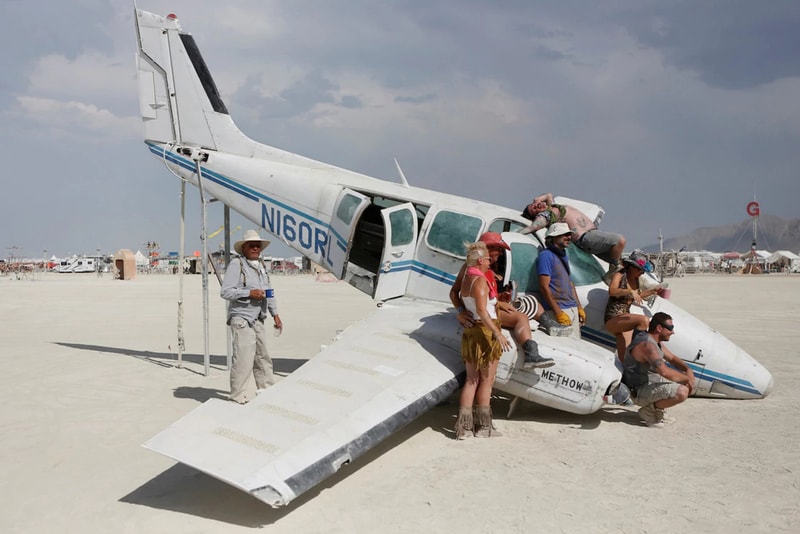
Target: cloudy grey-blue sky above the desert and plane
<point>669,114</point>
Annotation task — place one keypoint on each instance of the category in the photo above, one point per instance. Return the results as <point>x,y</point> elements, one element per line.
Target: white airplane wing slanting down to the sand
<point>377,376</point>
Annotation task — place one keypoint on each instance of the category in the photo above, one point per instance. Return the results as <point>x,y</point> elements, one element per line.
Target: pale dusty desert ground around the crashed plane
<point>89,373</point>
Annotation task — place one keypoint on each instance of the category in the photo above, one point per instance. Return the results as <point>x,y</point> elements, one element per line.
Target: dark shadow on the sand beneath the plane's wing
<point>186,490</point>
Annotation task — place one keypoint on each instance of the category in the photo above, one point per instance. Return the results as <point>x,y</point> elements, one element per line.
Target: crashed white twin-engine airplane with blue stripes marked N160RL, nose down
<point>403,246</point>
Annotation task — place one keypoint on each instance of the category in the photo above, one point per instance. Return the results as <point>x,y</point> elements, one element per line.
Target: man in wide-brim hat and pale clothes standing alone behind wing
<point>248,290</point>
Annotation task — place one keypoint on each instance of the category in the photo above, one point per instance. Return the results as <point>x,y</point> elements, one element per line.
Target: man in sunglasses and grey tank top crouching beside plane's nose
<point>654,385</point>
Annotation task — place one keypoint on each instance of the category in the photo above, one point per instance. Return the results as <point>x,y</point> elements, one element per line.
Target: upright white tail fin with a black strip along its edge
<point>178,99</point>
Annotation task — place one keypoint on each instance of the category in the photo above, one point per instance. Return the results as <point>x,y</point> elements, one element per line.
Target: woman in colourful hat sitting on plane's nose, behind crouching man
<point>624,291</point>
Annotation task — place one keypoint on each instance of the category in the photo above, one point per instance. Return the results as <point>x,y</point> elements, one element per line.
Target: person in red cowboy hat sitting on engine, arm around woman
<point>509,316</point>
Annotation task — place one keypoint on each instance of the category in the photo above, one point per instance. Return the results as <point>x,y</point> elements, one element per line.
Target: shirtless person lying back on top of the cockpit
<point>607,246</point>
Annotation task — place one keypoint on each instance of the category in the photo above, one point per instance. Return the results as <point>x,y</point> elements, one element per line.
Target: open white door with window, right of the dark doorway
<point>400,242</point>
